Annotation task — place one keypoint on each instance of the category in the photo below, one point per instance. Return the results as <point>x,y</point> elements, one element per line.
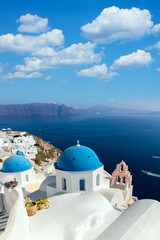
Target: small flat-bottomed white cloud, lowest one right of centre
<point>99,72</point>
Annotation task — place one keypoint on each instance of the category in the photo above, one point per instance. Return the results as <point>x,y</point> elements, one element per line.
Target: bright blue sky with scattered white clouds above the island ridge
<point>81,52</point>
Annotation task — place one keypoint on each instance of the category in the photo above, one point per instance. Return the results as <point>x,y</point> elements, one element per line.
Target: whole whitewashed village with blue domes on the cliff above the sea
<point>72,198</point>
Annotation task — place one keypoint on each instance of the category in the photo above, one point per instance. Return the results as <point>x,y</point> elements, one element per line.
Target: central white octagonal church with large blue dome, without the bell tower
<point>79,169</point>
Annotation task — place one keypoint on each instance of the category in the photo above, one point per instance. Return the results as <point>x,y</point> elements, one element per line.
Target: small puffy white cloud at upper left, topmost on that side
<point>32,24</point>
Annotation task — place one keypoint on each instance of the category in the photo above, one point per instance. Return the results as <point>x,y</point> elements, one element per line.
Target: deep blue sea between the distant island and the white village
<point>134,139</point>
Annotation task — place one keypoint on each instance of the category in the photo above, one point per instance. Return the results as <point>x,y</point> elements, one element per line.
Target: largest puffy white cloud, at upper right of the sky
<point>119,24</point>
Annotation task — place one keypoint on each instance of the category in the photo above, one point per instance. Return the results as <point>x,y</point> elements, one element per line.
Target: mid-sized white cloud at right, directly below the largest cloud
<point>134,60</point>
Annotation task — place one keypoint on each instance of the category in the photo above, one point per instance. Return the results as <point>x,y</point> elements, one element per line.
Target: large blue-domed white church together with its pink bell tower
<point>79,170</point>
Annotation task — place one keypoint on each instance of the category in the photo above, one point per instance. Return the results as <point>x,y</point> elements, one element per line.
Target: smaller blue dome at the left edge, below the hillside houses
<point>16,163</point>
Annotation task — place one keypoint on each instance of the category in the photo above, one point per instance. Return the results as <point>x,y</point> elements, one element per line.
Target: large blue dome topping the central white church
<point>78,159</point>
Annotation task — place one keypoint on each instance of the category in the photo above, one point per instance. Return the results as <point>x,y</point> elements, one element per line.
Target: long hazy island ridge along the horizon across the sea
<point>61,110</point>
